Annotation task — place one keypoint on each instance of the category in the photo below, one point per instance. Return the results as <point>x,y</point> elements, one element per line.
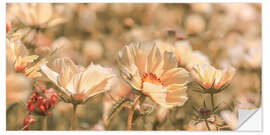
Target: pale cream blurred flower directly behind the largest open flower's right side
<point>188,58</point>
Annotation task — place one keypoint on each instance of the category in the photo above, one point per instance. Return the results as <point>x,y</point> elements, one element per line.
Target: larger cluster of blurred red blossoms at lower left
<point>42,100</point>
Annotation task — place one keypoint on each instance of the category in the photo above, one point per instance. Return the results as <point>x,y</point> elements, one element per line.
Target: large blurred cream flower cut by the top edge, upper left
<point>37,15</point>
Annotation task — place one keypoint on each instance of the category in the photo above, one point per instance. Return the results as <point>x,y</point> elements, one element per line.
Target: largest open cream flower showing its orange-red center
<point>153,73</point>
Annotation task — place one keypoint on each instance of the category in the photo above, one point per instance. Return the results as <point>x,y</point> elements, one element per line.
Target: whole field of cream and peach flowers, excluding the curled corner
<point>109,66</point>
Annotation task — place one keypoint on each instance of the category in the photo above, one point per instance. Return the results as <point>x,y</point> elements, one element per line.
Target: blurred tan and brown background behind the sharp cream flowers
<point>228,34</point>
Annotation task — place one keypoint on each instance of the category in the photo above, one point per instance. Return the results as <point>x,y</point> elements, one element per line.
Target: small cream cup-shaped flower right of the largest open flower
<point>210,78</point>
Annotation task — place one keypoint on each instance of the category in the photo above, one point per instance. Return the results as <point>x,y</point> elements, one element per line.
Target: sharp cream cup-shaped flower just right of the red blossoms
<point>76,83</point>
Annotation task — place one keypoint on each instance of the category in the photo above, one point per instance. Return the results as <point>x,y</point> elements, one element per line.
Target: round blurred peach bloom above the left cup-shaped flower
<point>92,50</point>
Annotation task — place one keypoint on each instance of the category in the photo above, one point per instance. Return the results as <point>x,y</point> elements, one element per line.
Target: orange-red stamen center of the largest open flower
<point>150,78</point>
